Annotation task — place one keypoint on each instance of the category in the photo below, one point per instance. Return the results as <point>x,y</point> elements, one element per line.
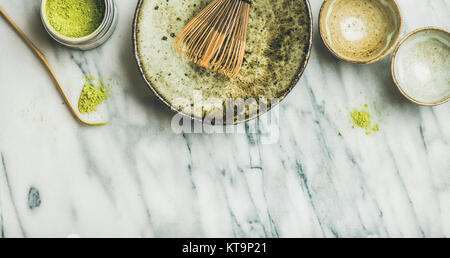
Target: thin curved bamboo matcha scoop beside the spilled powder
<point>50,70</point>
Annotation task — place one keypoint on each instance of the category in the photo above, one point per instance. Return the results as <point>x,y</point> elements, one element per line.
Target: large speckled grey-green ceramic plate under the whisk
<point>278,48</point>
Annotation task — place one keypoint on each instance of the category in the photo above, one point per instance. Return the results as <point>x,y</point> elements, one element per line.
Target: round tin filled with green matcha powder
<point>79,24</point>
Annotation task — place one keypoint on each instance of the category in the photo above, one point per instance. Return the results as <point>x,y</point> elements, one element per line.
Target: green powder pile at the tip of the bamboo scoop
<point>92,96</point>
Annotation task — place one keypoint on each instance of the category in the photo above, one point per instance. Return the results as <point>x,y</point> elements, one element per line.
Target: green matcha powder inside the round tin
<point>75,18</point>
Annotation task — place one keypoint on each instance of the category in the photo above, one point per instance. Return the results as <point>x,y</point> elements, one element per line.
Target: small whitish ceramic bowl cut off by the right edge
<point>421,66</point>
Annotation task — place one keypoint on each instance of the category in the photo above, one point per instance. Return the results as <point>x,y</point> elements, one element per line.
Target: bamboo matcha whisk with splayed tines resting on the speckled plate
<point>216,37</point>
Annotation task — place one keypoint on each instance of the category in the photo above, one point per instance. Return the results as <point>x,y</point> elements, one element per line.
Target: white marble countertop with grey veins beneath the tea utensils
<point>136,177</point>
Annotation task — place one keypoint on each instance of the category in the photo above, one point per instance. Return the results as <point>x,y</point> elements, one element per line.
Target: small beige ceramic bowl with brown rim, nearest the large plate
<point>360,31</point>
